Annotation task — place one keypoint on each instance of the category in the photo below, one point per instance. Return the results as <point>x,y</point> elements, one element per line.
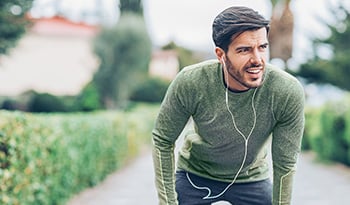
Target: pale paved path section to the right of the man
<point>321,184</point>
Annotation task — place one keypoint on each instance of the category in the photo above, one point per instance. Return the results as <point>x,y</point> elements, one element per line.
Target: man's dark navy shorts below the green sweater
<point>252,193</point>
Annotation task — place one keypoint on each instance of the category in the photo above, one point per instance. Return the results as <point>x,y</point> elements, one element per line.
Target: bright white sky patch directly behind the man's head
<point>188,22</point>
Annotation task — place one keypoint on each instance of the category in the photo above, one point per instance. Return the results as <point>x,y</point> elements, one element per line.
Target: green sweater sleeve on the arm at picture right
<point>286,144</point>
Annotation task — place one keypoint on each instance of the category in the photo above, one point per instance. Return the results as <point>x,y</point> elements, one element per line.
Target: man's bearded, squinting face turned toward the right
<point>245,60</point>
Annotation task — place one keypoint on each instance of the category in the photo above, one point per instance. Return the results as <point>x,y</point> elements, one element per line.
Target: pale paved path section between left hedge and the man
<point>132,185</point>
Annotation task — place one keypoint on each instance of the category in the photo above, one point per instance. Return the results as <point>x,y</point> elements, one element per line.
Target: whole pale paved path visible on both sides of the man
<point>315,184</point>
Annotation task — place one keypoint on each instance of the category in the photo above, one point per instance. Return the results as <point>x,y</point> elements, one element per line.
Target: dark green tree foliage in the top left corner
<point>13,22</point>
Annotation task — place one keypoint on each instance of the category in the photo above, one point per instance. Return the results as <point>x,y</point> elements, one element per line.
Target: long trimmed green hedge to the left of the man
<point>47,158</point>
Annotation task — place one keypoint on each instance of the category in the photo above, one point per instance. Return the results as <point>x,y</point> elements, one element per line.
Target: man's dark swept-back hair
<point>235,20</point>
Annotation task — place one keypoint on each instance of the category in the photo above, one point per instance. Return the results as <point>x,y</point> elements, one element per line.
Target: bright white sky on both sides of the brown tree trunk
<point>188,22</point>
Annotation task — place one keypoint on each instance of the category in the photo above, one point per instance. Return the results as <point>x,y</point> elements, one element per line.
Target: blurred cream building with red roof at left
<point>54,56</point>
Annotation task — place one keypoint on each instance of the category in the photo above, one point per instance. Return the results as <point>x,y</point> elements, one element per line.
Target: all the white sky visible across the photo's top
<point>188,22</point>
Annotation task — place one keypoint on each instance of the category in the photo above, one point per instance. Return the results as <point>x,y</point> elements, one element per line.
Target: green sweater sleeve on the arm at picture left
<point>171,120</point>
